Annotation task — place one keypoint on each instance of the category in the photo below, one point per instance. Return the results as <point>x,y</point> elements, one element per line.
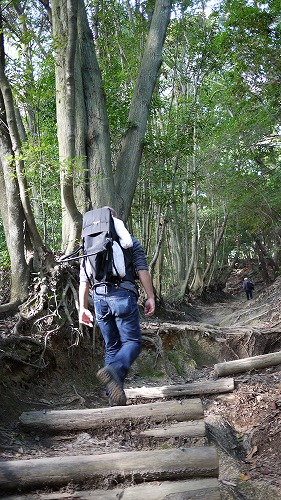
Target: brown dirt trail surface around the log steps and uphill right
<point>245,425</point>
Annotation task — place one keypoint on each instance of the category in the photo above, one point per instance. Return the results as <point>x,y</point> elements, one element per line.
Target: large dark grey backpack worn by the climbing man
<point>109,262</point>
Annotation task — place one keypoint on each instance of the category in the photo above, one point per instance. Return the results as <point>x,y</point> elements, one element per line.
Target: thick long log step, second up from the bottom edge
<point>140,466</point>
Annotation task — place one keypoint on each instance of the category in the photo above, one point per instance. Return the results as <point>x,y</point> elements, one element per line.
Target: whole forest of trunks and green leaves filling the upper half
<point>170,112</point>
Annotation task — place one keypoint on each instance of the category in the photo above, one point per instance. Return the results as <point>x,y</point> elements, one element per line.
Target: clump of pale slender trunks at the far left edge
<point>23,239</point>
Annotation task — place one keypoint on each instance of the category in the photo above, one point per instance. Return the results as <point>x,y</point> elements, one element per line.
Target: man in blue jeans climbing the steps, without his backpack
<point>117,315</point>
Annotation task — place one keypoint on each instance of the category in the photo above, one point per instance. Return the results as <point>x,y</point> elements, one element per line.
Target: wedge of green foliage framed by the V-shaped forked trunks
<point>120,31</point>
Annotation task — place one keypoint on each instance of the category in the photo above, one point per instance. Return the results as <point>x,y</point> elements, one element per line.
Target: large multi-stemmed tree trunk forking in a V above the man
<point>76,63</point>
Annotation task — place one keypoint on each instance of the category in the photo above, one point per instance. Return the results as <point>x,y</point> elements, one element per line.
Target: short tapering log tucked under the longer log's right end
<point>195,428</point>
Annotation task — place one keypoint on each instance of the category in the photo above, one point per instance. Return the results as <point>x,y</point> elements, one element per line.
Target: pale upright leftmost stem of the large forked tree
<point>65,33</point>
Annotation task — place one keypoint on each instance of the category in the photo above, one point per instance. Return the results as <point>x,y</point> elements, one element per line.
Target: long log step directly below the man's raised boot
<point>57,420</point>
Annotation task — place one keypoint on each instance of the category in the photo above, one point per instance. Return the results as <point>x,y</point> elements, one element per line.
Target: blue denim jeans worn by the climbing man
<point>118,318</point>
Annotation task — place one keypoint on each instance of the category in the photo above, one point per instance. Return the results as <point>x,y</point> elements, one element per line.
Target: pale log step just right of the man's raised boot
<point>194,388</point>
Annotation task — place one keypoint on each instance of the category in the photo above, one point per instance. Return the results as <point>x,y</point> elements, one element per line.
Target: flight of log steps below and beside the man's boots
<point>172,458</point>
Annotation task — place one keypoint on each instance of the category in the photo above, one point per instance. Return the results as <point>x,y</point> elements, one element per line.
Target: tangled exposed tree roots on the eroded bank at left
<point>49,314</point>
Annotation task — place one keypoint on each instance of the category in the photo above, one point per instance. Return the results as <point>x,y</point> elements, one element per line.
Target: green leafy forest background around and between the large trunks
<point>212,145</point>
